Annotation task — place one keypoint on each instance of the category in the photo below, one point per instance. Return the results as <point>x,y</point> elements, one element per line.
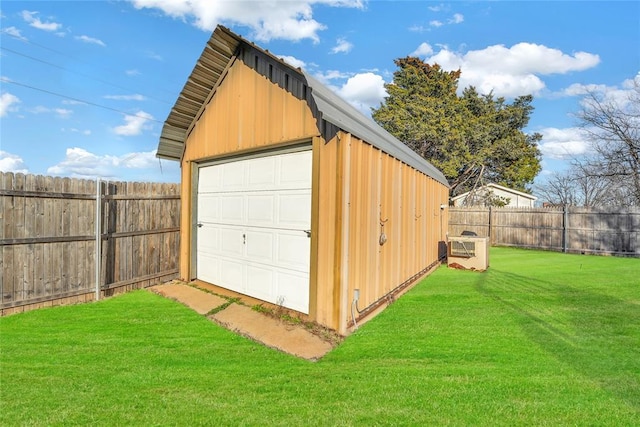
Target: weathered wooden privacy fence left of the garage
<point>48,238</point>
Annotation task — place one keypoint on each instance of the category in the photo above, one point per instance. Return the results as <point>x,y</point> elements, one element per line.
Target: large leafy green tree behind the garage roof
<point>471,138</point>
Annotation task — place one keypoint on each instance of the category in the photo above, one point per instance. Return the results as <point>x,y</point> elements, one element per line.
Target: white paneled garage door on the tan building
<point>254,217</point>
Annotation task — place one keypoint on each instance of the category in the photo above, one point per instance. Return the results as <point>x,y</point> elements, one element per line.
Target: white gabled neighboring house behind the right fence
<point>485,195</point>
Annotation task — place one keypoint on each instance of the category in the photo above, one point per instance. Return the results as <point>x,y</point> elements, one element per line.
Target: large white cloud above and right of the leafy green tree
<point>511,71</point>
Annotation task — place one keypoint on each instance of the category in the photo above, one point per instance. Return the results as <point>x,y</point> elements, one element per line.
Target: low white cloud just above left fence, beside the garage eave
<point>80,163</point>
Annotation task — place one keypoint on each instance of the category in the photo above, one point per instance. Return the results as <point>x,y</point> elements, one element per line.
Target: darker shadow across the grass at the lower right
<point>597,335</point>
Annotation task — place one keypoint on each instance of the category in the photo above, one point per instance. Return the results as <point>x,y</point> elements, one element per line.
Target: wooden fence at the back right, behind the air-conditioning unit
<point>613,231</point>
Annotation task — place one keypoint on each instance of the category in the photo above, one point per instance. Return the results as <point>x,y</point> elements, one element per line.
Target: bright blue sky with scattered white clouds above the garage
<point>86,85</point>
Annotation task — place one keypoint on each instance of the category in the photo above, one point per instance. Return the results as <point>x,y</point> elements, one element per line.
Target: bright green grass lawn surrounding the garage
<point>540,339</point>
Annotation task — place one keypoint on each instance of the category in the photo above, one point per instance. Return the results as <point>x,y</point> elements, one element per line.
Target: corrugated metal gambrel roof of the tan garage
<point>217,55</point>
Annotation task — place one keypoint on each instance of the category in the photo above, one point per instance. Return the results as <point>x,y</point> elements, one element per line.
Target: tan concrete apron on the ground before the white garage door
<point>274,333</point>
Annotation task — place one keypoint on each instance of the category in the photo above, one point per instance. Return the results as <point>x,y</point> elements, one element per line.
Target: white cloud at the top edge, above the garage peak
<point>282,19</point>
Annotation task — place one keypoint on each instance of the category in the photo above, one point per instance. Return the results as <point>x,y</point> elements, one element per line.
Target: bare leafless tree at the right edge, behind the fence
<point>613,127</point>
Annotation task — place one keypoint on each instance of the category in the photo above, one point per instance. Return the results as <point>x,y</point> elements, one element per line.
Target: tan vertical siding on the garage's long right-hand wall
<point>362,193</point>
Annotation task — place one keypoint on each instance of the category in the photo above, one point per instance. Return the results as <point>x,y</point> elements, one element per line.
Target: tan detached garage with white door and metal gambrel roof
<point>291,196</point>
